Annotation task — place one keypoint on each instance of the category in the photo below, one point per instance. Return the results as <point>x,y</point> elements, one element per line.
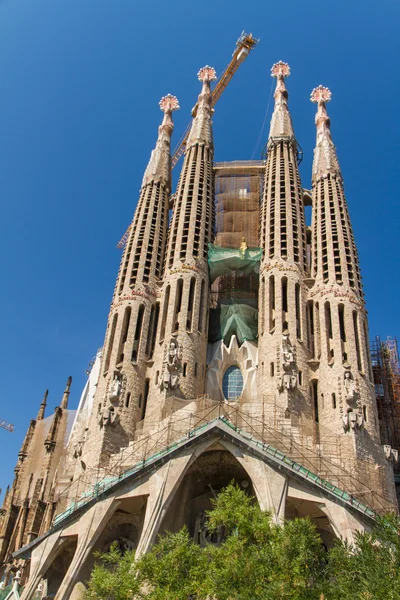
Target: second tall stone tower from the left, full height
<point>184,303</point>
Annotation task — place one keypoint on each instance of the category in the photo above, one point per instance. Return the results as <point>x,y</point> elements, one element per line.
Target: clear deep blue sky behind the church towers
<point>80,84</point>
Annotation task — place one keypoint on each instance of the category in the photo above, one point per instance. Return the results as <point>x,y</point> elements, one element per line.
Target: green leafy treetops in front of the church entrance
<point>258,560</point>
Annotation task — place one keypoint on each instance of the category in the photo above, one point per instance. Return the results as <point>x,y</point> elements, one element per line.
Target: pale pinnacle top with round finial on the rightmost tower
<point>325,158</point>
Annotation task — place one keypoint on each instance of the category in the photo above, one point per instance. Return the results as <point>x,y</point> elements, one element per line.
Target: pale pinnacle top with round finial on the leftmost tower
<point>159,167</point>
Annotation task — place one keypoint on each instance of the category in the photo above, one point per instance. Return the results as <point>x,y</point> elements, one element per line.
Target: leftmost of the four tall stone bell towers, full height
<point>123,387</point>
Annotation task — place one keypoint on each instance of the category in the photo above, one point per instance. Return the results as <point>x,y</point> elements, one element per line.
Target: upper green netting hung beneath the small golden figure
<point>223,260</point>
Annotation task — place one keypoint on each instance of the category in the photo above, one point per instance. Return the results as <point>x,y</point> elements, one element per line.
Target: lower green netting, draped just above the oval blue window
<point>233,319</point>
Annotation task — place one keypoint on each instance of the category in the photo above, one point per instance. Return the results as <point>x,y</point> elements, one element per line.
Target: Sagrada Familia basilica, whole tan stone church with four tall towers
<point>236,348</point>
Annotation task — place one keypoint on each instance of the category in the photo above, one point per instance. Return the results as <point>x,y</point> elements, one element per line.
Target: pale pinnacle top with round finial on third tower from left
<point>281,122</point>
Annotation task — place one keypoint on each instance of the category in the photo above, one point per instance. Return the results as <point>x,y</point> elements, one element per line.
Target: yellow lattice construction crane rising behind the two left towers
<point>244,45</point>
